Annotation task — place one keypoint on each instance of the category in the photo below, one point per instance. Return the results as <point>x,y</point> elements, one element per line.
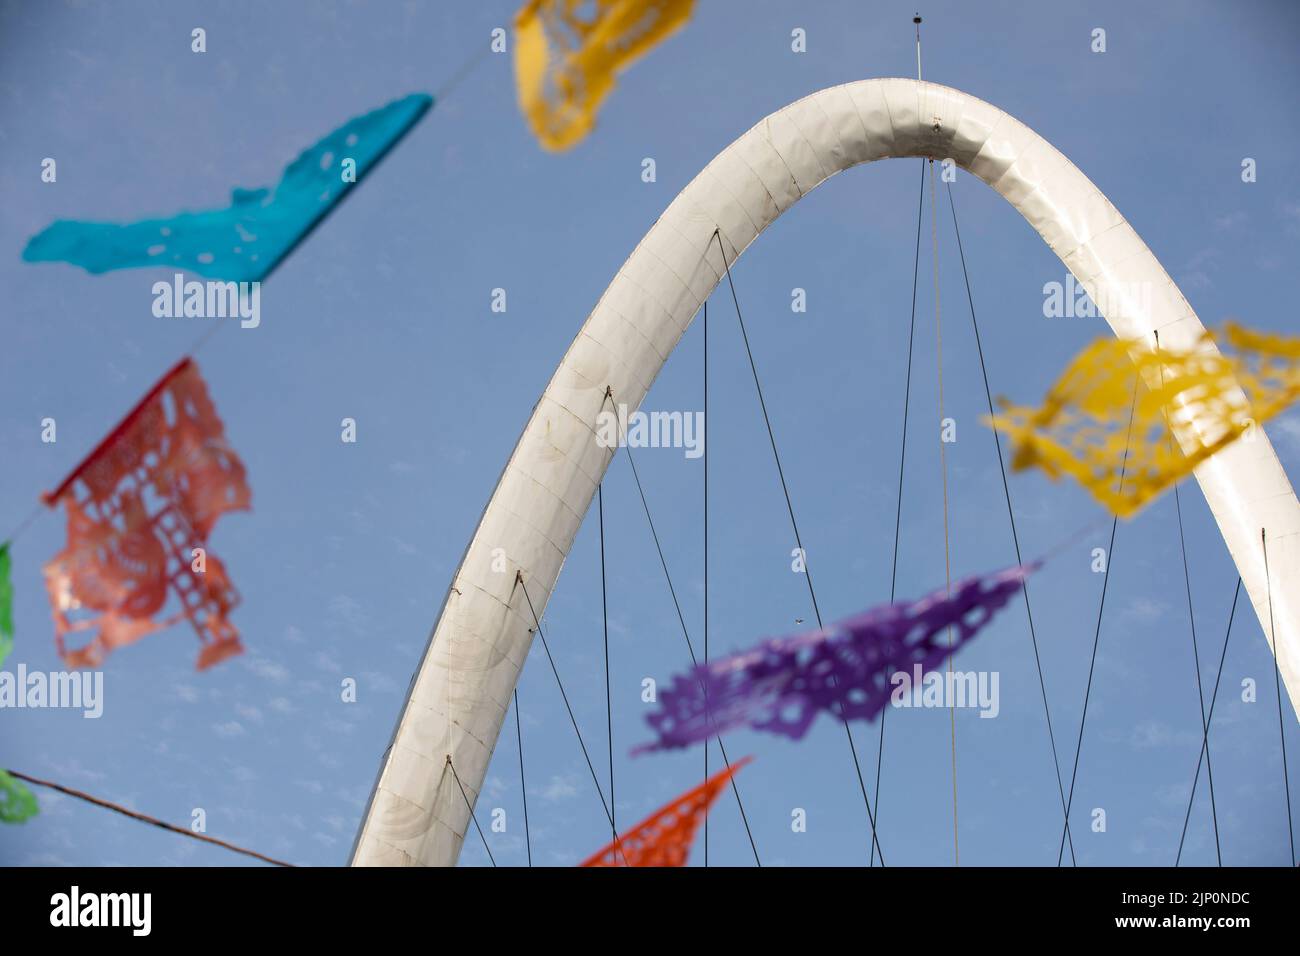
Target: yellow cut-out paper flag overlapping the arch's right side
<point>1206,400</point>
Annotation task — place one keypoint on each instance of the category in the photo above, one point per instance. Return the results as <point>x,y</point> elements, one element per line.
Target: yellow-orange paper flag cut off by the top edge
<point>567,54</point>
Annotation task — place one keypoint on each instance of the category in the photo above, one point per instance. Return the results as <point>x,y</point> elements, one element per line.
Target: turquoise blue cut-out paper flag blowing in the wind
<point>248,240</point>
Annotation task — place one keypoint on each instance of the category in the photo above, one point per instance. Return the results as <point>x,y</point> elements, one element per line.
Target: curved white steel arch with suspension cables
<point>461,694</point>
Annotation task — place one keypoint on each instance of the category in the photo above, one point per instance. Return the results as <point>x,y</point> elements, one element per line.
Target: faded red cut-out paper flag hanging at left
<point>140,513</point>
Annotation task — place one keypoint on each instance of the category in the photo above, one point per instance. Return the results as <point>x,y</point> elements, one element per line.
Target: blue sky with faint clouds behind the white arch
<point>383,315</point>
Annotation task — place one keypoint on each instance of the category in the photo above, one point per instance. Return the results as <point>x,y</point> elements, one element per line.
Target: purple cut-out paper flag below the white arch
<point>843,671</point>
